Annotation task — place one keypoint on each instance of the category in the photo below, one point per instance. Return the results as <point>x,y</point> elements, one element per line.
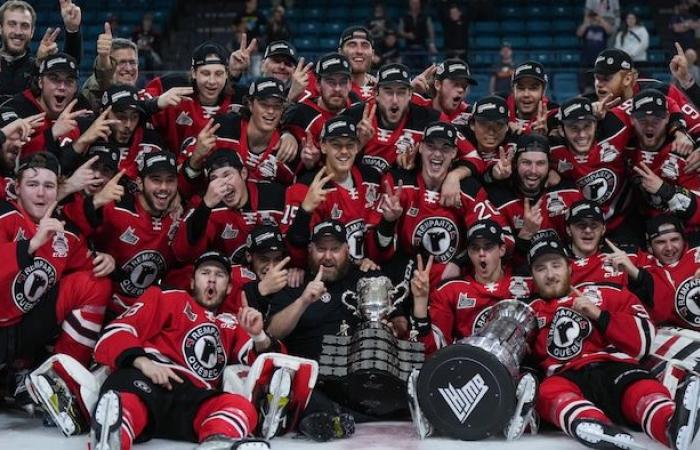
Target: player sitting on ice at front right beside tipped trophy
<point>589,345</point>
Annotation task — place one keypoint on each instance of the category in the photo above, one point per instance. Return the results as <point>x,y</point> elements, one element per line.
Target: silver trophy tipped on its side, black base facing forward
<point>470,390</point>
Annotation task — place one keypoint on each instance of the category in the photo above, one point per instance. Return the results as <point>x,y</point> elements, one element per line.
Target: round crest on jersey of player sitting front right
<point>567,333</point>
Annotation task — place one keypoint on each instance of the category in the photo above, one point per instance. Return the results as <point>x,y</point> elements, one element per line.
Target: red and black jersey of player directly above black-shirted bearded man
<point>352,206</point>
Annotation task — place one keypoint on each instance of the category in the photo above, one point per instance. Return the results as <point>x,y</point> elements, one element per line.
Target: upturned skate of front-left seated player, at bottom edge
<point>106,423</point>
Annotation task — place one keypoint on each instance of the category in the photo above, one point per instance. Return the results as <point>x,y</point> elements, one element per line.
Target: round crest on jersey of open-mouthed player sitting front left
<point>203,351</point>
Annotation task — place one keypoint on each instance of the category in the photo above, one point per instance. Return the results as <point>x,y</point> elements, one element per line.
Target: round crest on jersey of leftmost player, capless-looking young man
<point>32,282</point>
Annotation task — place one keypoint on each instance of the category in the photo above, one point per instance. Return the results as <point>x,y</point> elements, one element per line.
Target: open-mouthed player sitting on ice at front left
<point>167,354</point>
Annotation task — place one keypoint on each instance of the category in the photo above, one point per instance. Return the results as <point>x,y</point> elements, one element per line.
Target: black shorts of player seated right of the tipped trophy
<point>604,384</point>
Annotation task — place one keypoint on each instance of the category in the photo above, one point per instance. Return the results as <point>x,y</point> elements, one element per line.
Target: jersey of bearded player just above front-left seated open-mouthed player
<point>138,241</point>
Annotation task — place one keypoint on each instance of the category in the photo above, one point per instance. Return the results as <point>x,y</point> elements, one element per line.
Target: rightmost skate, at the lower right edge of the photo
<point>685,421</point>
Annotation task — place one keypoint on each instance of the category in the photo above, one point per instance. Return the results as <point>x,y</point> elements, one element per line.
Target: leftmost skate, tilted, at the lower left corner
<point>55,398</point>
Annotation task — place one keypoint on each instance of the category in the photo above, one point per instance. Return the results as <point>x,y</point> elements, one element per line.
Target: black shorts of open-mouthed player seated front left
<point>170,413</point>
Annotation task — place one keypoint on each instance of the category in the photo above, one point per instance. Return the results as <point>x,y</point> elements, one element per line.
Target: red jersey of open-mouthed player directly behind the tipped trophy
<point>458,308</point>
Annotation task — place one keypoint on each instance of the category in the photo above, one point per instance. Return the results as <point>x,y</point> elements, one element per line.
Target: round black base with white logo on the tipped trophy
<point>466,393</point>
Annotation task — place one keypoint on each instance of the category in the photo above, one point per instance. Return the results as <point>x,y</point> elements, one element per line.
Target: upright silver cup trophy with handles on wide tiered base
<point>369,369</point>
